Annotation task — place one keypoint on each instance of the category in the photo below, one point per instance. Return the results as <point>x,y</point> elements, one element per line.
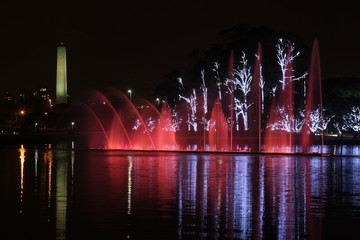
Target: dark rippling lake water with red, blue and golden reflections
<point>52,193</point>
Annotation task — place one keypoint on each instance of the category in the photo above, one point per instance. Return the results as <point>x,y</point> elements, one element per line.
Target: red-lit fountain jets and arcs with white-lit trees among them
<point>234,121</point>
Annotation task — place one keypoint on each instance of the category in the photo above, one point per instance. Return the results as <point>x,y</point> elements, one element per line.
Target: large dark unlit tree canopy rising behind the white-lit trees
<point>238,39</point>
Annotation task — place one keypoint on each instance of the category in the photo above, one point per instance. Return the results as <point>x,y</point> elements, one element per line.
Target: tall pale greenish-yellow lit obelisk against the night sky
<point>61,78</point>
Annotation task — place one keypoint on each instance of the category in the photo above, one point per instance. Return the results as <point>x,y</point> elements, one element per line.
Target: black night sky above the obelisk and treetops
<point>133,45</point>
